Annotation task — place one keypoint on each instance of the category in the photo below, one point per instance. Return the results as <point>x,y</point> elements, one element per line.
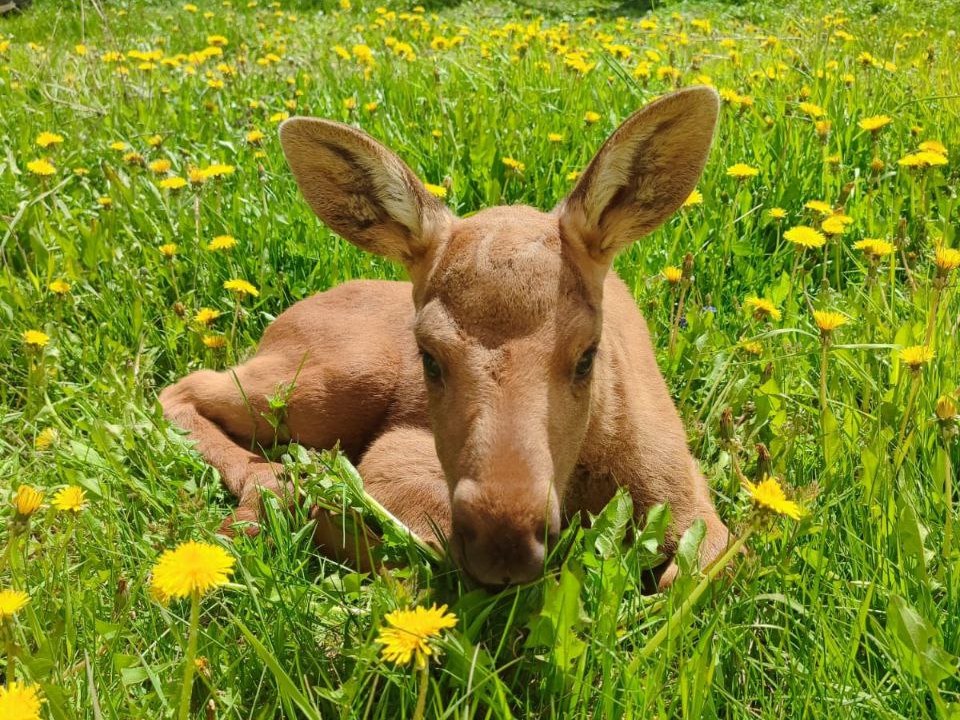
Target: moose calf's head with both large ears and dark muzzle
<point>508,307</point>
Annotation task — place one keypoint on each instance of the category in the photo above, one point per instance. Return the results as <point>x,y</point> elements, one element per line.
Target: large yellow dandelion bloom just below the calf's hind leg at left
<point>192,567</point>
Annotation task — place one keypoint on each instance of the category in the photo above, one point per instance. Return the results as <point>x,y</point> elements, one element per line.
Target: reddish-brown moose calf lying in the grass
<point>508,386</point>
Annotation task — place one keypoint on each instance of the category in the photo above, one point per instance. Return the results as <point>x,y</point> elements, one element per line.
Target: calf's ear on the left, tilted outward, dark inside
<point>362,190</point>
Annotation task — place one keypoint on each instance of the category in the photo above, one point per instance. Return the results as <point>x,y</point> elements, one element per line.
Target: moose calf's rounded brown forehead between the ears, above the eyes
<point>503,274</point>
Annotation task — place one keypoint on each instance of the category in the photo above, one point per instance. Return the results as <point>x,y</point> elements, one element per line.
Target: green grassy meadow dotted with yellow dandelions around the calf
<point>803,303</point>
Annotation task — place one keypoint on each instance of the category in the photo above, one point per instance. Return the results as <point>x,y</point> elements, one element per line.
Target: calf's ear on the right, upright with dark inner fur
<point>642,174</point>
